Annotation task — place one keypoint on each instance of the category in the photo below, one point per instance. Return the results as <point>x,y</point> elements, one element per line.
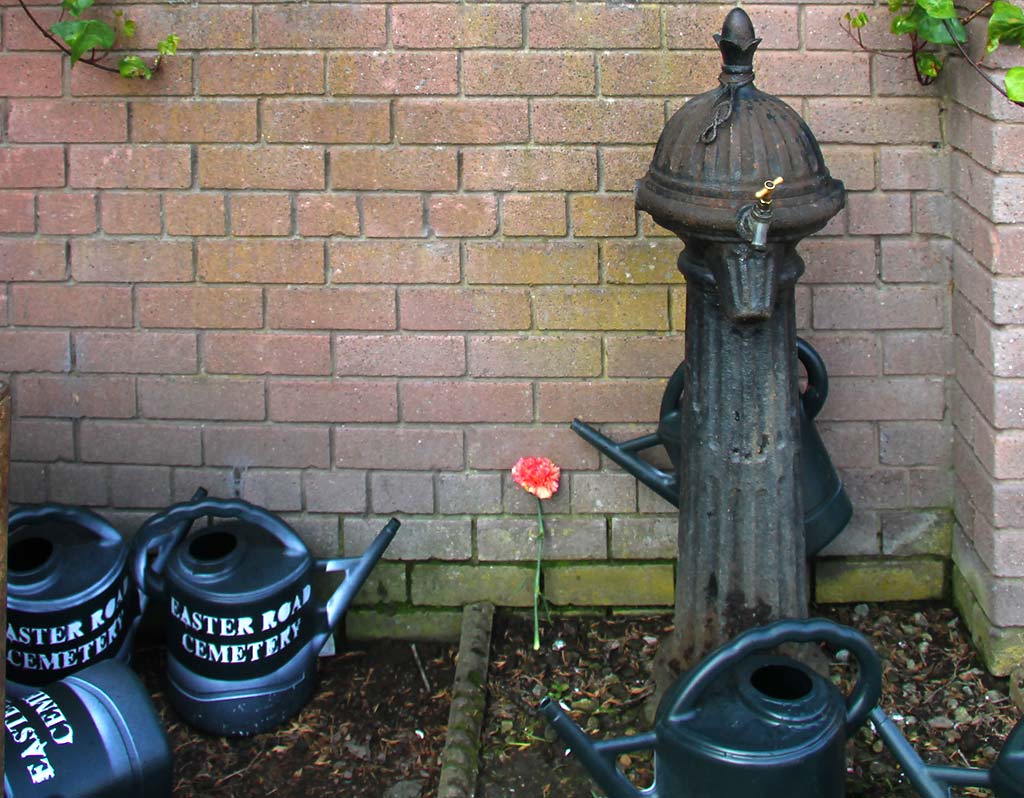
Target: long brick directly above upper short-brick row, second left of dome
<point>531,170</point>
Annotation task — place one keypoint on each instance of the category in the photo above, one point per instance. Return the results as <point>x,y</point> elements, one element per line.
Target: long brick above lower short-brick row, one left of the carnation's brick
<point>391,447</point>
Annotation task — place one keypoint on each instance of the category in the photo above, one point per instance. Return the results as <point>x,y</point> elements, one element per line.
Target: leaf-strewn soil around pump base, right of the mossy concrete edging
<point>935,688</point>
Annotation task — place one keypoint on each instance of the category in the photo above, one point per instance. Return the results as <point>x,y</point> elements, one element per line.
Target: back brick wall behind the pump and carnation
<point>354,261</point>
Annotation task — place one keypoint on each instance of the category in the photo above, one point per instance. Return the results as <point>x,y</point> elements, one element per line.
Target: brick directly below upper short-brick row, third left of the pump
<point>394,262</point>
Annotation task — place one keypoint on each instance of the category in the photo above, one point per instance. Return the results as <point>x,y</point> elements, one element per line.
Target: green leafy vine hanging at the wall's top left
<point>91,41</point>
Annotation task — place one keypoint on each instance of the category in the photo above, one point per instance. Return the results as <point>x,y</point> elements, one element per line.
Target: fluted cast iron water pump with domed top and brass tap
<point>740,178</point>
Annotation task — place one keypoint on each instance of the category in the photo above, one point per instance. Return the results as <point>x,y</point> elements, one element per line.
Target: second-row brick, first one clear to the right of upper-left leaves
<point>259,74</point>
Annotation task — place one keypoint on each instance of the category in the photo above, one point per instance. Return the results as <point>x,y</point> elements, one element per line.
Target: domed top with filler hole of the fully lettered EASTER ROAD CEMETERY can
<point>236,562</point>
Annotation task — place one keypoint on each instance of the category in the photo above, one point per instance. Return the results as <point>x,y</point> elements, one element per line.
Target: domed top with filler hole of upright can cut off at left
<point>56,565</point>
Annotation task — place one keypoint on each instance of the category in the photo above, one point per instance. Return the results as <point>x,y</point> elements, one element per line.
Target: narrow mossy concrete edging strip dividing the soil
<point>460,759</point>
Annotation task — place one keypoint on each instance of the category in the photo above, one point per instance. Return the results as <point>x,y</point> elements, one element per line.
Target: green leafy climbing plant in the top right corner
<point>935,26</point>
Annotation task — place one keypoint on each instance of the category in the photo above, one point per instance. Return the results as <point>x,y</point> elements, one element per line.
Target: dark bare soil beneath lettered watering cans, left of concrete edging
<point>371,725</point>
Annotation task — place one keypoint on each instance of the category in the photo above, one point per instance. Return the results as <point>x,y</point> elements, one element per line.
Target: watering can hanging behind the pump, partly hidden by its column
<point>827,508</point>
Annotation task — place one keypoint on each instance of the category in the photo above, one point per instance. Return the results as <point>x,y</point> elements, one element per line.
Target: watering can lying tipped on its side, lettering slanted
<point>94,735</point>
